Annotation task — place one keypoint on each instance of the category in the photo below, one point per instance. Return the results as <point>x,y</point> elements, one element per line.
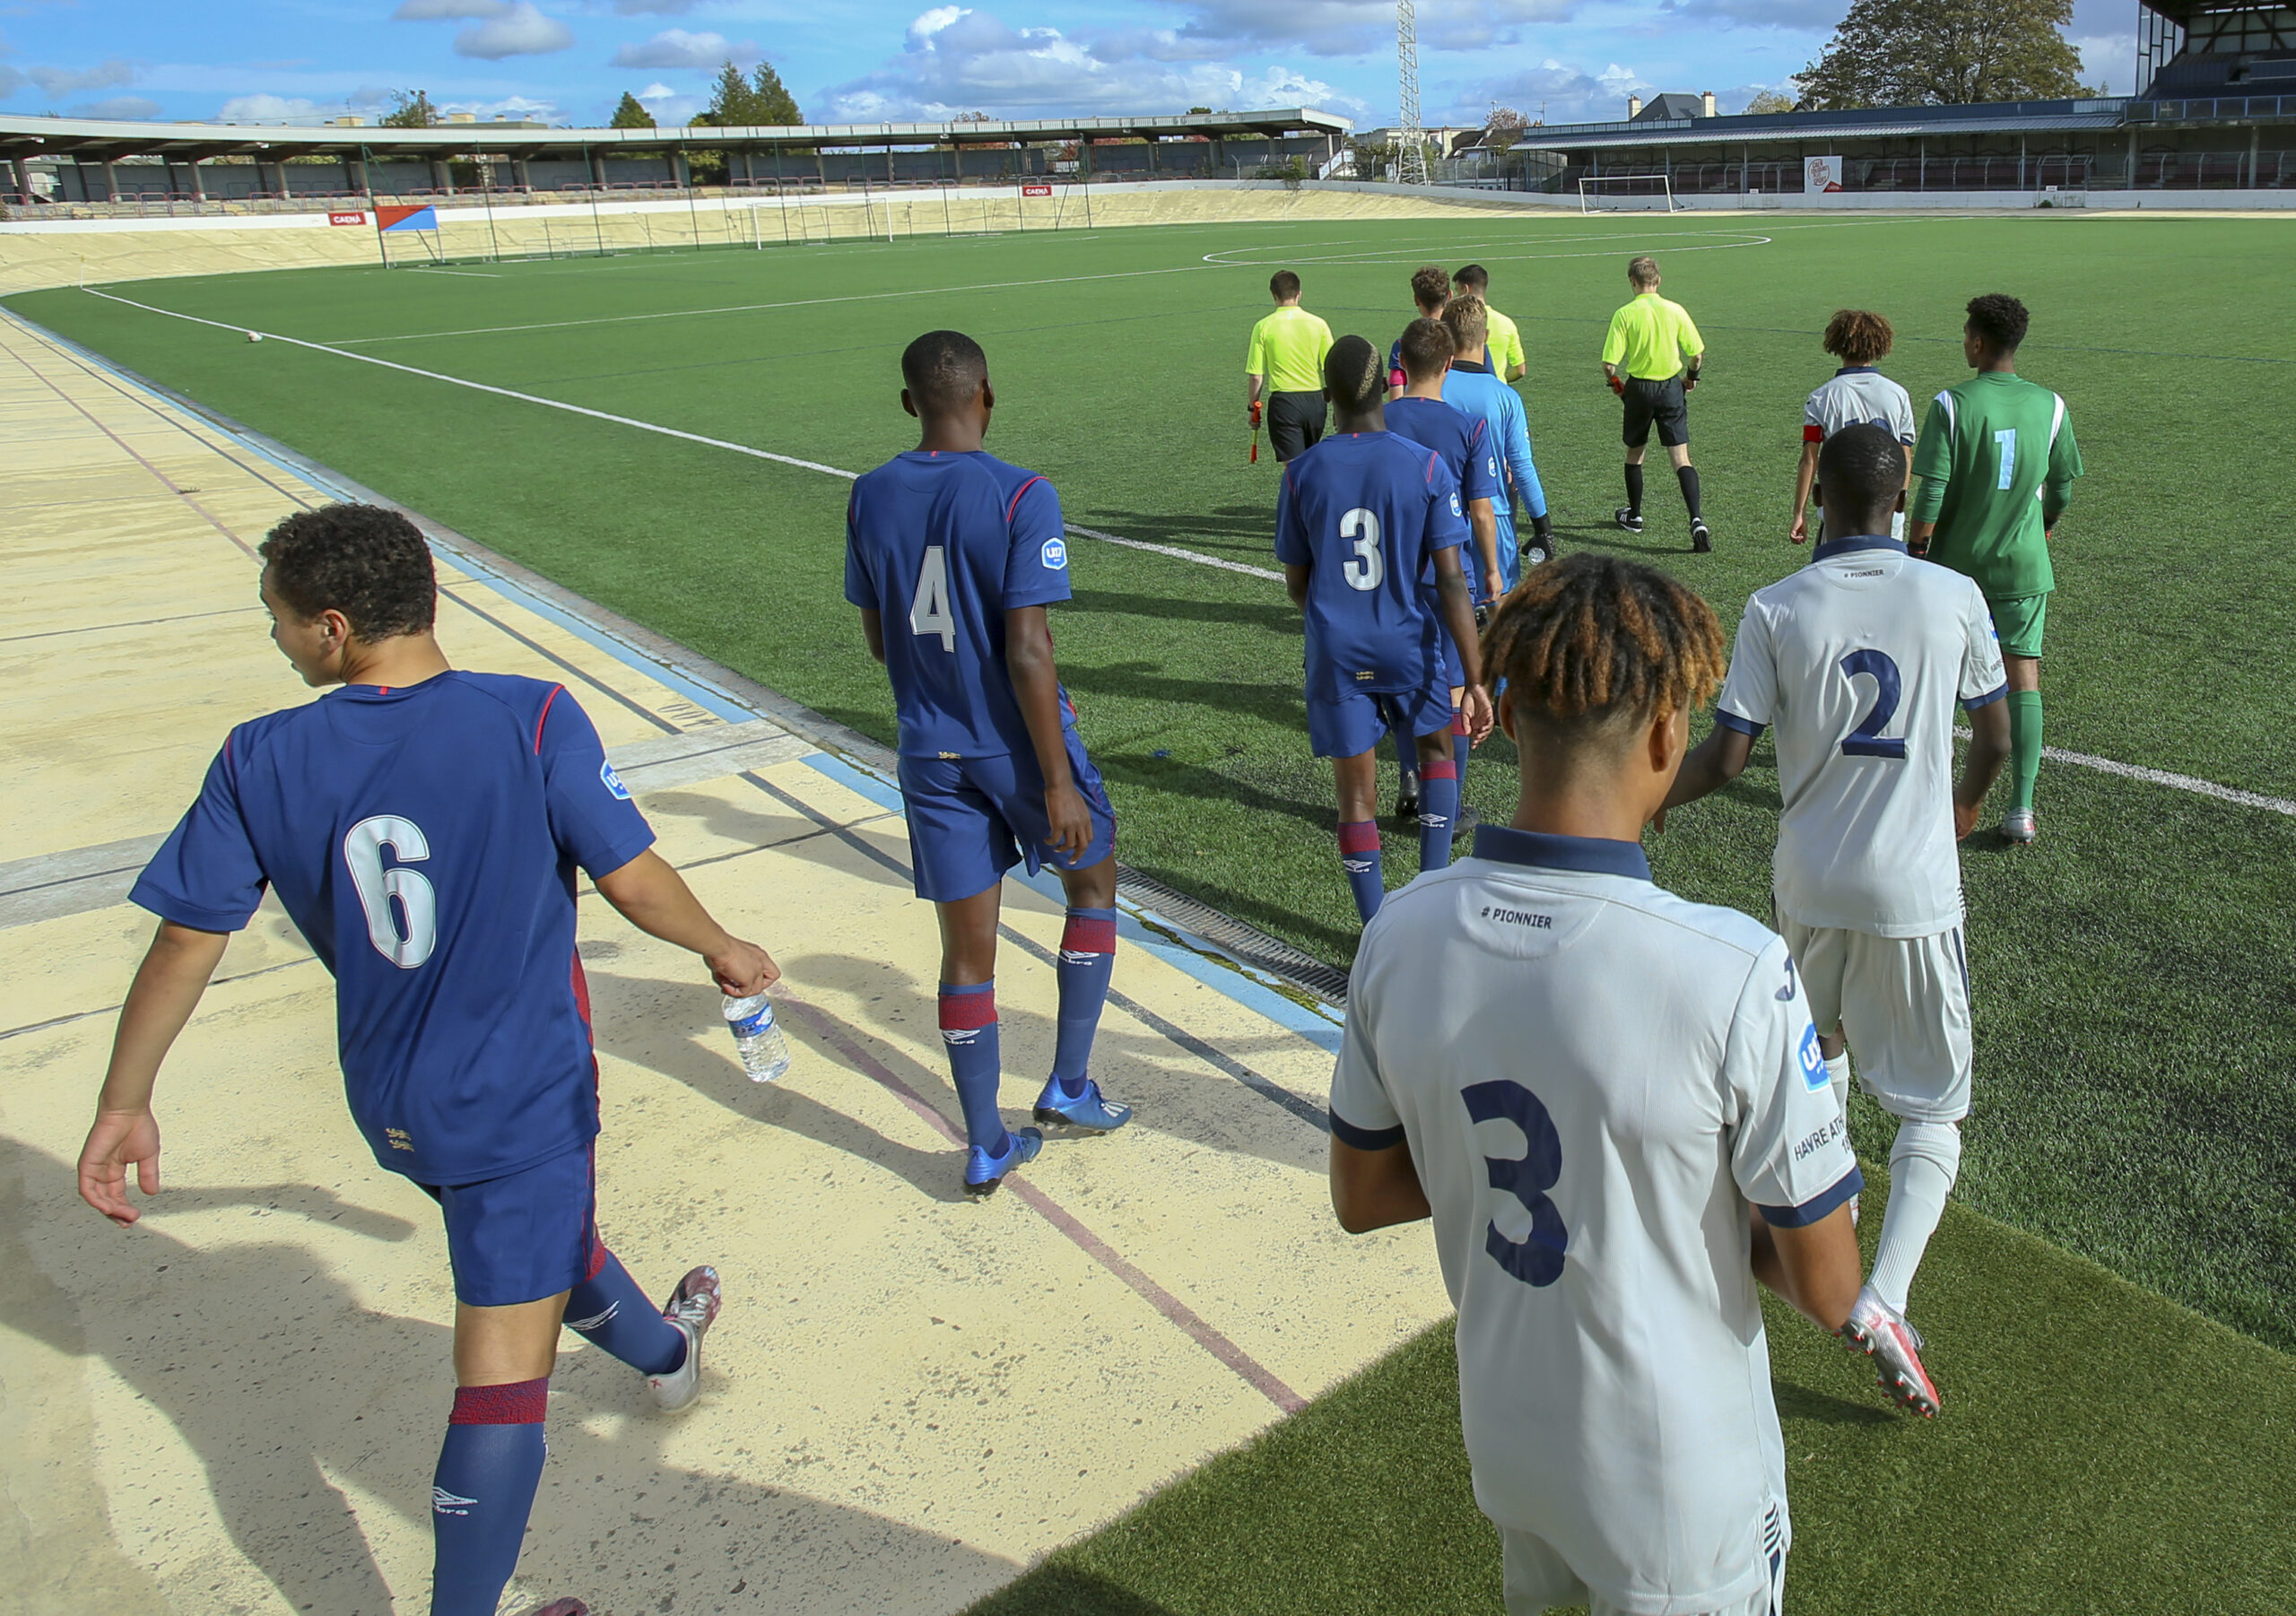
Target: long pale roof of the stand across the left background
<point>107,141</point>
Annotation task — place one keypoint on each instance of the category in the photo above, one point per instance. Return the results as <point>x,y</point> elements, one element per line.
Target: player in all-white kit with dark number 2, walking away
<point>1856,660</point>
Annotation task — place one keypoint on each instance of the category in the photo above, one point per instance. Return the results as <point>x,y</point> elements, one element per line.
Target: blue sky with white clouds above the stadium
<point>864,61</point>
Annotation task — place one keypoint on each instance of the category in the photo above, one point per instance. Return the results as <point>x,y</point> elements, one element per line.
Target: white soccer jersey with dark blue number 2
<point>1856,662</point>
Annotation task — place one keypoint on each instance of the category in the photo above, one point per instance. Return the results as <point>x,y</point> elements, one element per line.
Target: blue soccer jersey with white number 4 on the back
<point>945,547</point>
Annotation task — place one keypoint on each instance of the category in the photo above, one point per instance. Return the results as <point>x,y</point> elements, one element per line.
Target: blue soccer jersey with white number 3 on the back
<point>1365,513</point>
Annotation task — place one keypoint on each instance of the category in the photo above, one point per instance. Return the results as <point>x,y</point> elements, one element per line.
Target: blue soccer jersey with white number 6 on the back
<point>426,839</point>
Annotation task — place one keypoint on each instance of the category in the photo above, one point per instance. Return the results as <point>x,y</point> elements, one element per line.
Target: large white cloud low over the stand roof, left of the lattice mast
<point>965,61</point>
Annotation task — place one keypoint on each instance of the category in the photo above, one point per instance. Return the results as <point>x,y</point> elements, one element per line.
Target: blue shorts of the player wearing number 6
<point>525,1236</point>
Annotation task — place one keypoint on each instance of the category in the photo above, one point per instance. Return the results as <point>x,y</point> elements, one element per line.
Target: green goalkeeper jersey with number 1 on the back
<point>1996,465</point>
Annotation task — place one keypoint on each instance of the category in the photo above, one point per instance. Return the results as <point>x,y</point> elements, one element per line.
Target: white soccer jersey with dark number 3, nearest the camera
<point>1597,1078</point>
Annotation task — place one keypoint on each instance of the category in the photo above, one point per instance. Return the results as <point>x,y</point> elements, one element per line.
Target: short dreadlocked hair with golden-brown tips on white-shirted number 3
<point>1592,642</point>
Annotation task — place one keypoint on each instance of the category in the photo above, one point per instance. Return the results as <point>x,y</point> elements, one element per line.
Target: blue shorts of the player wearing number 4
<point>975,818</point>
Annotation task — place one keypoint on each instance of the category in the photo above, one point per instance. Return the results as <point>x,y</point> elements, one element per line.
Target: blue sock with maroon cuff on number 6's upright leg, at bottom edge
<point>483,1493</point>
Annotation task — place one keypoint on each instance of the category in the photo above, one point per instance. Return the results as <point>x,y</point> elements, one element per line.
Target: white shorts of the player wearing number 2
<point>1905,1004</point>
